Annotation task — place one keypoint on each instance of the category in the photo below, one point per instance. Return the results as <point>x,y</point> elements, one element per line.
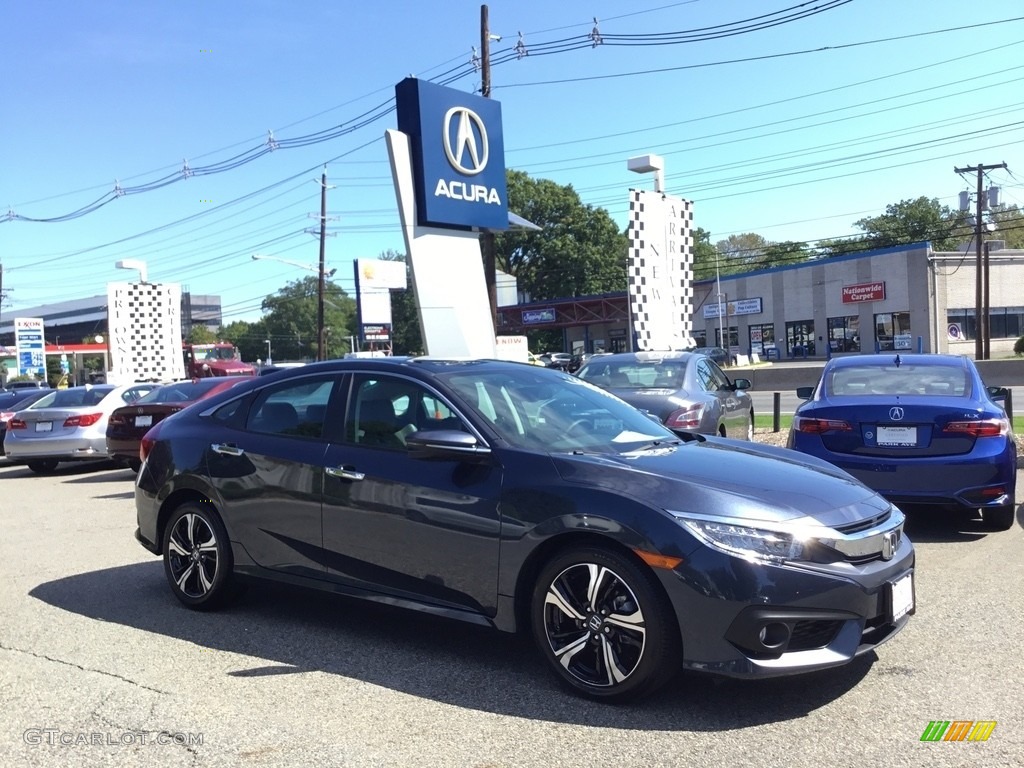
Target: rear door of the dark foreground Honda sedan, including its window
<point>269,473</point>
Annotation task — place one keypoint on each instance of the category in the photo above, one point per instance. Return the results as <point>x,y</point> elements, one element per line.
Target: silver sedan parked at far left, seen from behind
<point>67,425</point>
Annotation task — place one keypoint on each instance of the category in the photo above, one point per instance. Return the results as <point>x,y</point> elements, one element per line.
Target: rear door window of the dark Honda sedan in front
<point>296,408</point>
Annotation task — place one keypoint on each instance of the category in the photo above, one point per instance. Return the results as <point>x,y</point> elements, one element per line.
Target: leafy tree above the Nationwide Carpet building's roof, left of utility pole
<point>914,222</point>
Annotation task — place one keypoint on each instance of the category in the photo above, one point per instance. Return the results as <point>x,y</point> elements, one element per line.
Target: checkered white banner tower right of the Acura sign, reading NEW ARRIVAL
<point>661,271</point>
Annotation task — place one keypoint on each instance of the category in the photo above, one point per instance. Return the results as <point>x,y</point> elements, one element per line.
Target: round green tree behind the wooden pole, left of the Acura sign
<point>290,320</point>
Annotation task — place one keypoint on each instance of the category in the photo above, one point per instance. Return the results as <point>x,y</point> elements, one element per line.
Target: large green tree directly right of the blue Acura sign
<point>578,252</point>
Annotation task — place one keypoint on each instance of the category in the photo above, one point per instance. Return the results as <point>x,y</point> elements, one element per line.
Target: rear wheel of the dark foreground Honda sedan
<point>198,558</point>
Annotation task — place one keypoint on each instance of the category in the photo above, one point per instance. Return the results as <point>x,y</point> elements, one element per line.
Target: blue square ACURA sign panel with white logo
<point>458,156</point>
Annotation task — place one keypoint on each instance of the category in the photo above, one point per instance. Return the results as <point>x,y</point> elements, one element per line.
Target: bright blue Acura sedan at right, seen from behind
<point>921,430</point>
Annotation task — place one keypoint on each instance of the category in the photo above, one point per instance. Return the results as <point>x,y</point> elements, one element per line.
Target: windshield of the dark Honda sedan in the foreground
<point>539,410</point>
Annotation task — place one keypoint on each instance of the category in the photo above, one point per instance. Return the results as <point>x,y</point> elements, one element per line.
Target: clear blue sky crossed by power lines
<point>794,133</point>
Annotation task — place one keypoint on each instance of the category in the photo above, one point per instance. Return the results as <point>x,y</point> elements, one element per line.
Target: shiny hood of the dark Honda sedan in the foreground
<point>730,479</point>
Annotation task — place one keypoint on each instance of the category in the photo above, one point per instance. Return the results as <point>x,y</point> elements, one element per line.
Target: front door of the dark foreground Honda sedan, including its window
<point>418,529</point>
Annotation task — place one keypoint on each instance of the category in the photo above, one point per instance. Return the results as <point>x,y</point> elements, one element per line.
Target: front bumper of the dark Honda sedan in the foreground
<point>751,620</point>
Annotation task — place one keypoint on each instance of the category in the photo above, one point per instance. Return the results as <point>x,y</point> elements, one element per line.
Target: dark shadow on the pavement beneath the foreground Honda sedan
<point>459,664</point>
